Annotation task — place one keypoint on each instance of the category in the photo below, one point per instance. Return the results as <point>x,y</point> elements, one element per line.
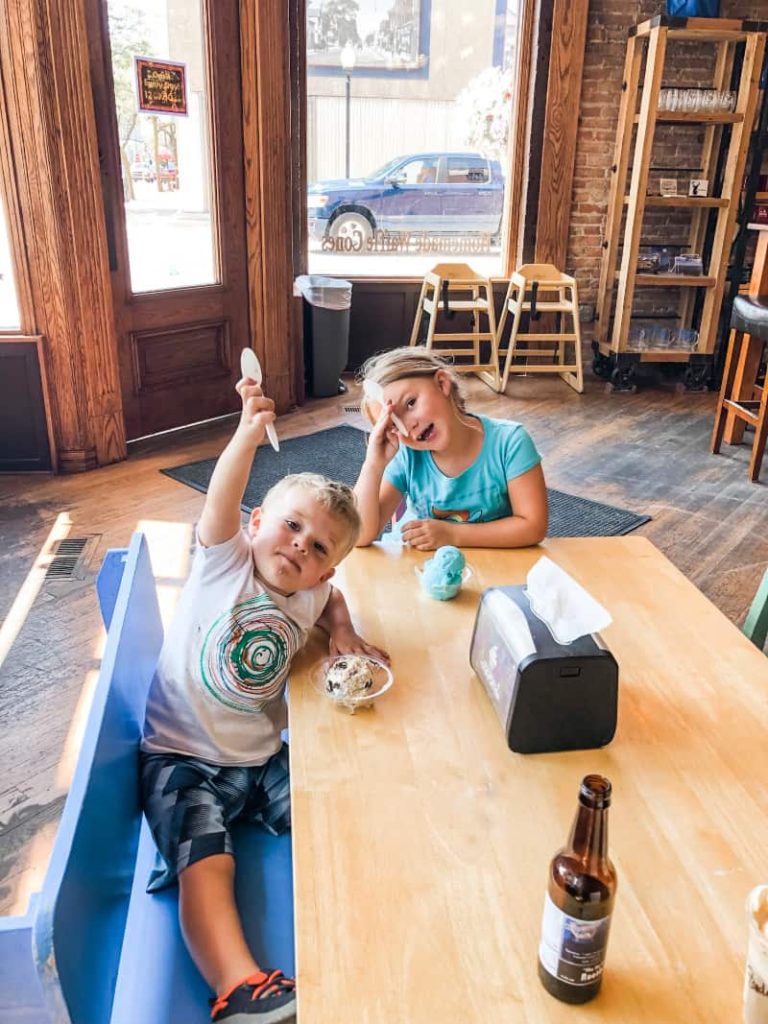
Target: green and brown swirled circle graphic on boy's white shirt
<point>247,654</point>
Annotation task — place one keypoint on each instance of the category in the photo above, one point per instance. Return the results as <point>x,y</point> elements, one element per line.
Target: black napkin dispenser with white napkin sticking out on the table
<point>549,697</point>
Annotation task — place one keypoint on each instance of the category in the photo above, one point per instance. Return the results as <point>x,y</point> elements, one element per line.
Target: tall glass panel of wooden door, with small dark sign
<point>165,157</point>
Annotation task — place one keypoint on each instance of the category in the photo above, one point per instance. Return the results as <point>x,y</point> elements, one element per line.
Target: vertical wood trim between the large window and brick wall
<point>561,130</point>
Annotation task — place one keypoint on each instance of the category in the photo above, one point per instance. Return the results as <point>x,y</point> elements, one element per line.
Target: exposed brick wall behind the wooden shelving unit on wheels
<point>687,64</point>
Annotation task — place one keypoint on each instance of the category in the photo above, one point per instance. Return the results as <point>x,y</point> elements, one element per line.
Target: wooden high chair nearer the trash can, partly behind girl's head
<point>437,296</point>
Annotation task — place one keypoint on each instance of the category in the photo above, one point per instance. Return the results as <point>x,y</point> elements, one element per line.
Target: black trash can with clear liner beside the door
<point>327,304</point>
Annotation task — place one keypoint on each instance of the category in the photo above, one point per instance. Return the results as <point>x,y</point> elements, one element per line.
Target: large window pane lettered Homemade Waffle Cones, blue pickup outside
<point>410,108</point>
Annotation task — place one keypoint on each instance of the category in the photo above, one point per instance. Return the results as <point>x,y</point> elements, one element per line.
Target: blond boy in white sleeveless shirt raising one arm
<point>212,750</point>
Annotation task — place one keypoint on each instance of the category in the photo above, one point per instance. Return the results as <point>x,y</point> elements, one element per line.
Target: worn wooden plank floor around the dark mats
<point>647,452</point>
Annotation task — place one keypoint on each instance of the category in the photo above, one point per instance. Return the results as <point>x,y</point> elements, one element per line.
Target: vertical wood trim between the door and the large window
<point>266,50</point>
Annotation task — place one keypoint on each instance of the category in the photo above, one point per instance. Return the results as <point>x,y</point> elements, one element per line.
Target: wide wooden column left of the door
<point>59,221</point>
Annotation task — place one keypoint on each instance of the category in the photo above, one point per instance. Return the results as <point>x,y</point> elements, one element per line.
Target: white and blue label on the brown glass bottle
<point>573,951</point>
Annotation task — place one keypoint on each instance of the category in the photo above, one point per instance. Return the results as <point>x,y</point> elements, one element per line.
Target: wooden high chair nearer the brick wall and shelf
<point>541,288</point>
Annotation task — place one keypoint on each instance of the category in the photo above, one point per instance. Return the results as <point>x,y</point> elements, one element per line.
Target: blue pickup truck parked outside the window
<point>435,193</point>
